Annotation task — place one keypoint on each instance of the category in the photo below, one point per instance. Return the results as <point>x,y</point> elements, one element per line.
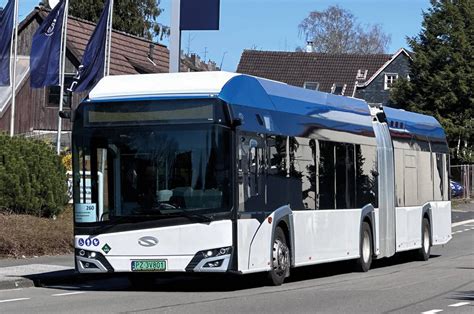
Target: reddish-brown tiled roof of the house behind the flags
<point>130,54</point>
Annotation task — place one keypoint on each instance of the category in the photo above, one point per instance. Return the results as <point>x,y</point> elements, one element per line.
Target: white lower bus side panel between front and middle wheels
<point>326,235</point>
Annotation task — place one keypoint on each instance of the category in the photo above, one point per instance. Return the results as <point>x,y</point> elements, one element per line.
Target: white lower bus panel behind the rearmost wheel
<point>441,222</point>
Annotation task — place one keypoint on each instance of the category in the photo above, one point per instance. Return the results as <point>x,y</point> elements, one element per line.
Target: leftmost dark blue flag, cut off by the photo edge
<point>6,31</point>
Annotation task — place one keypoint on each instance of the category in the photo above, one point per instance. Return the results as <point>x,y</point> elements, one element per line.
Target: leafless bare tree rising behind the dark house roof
<point>336,30</point>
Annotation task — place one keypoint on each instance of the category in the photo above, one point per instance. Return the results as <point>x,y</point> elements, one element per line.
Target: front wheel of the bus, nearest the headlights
<point>280,259</point>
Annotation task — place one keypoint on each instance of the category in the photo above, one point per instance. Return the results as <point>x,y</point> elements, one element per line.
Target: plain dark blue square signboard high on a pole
<point>199,15</point>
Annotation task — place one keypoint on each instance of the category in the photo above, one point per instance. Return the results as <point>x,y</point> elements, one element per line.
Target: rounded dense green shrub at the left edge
<point>32,177</point>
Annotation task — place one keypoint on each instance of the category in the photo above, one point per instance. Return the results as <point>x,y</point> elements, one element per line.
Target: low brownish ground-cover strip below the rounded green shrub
<point>25,235</point>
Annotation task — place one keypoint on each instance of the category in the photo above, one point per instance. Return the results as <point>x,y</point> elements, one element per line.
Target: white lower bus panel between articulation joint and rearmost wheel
<point>408,221</point>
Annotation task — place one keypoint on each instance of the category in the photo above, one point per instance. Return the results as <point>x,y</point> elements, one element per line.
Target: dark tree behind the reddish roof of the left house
<point>136,17</point>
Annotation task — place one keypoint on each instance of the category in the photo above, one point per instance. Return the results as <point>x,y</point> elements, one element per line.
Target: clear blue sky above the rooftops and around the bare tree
<point>273,24</point>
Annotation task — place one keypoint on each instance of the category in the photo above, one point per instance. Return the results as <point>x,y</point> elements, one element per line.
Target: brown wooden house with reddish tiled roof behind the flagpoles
<point>36,110</point>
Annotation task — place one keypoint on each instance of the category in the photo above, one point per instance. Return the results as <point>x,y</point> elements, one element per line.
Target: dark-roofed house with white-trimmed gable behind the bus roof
<point>369,76</point>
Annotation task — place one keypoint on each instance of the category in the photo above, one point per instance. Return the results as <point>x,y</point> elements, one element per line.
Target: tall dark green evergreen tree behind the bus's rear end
<point>442,77</point>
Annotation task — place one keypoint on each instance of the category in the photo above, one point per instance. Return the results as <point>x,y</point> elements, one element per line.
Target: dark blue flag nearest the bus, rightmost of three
<point>92,65</point>
